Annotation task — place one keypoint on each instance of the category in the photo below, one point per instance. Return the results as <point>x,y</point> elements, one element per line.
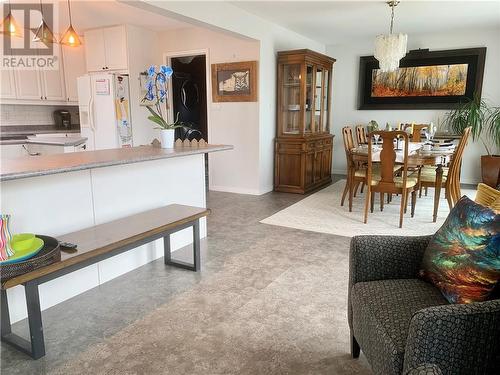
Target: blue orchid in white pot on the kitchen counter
<point>156,94</point>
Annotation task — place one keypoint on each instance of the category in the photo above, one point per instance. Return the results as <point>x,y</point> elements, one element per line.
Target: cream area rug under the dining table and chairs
<point>321,212</point>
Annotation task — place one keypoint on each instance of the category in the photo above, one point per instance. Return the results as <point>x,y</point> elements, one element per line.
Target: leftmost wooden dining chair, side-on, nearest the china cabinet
<point>356,174</point>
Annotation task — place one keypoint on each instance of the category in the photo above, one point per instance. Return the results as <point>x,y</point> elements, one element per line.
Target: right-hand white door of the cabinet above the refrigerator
<point>115,43</point>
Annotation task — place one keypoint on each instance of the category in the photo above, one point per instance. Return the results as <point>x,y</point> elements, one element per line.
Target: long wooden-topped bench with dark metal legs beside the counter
<point>93,245</point>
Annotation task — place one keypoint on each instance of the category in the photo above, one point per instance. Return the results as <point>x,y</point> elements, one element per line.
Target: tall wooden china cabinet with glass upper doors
<point>303,146</point>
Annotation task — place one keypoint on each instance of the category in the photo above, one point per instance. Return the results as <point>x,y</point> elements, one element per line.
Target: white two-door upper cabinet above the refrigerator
<point>106,49</point>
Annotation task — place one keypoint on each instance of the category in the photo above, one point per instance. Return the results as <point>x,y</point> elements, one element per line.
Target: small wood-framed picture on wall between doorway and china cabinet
<point>234,82</point>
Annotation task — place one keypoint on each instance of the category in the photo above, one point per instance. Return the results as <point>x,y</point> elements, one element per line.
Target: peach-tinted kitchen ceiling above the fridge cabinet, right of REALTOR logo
<point>91,14</point>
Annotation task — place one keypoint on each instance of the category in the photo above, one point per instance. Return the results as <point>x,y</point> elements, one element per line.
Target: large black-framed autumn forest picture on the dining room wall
<point>424,80</point>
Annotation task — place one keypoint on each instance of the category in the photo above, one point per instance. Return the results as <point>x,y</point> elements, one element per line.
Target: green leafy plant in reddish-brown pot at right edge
<point>485,122</point>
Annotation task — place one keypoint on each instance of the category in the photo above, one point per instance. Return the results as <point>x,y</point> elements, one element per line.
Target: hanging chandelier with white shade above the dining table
<point>390,48</point>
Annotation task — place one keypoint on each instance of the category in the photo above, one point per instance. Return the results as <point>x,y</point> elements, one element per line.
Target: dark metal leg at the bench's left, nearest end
<point>36,346</point>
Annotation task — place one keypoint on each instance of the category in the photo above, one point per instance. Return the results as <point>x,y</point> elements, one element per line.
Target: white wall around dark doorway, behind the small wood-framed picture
<point>236,123</point>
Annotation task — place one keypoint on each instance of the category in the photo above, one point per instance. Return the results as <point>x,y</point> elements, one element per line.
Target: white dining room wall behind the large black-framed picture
<point>345,89</point>
